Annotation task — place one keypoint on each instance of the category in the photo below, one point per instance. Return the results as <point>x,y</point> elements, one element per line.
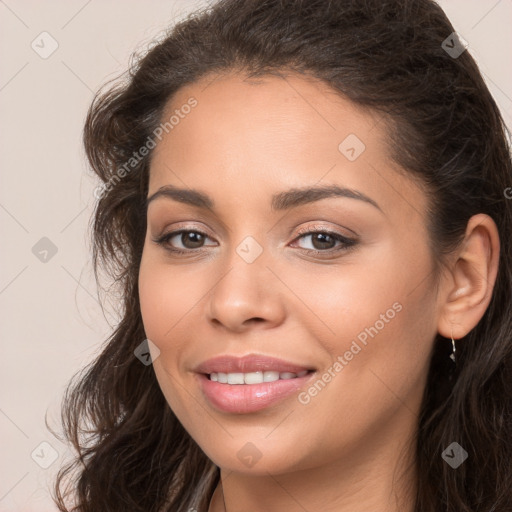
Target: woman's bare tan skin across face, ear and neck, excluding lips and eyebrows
<point>351,447</point>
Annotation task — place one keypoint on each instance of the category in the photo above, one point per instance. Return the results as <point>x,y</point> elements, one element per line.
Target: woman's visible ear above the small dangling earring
<point>468,284</point>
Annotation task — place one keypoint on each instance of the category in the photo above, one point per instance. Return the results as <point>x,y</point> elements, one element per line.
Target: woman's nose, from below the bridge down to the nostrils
<point>246,296</point>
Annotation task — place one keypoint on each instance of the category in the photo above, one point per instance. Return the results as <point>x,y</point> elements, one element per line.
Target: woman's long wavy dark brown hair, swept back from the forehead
<point>443,128</point>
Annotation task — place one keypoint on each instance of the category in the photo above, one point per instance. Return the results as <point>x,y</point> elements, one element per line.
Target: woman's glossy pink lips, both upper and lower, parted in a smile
<point>247,398</point>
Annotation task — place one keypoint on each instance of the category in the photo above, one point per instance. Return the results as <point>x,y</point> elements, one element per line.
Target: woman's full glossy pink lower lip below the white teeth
<point>246,398</point>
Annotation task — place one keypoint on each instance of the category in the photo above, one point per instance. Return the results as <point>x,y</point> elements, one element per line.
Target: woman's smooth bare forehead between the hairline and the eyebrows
<point>272,133</point>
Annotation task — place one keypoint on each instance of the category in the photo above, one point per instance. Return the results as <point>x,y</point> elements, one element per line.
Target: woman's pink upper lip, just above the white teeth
<point>249,363</point>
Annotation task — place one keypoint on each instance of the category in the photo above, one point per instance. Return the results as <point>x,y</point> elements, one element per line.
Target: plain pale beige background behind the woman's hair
<point>51,321</point>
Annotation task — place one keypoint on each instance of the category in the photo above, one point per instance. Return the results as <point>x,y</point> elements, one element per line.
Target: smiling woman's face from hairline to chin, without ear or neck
<point>338,284</point>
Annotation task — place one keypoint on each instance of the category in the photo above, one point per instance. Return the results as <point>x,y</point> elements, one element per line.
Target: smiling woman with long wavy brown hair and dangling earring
<point>304,204</point>
